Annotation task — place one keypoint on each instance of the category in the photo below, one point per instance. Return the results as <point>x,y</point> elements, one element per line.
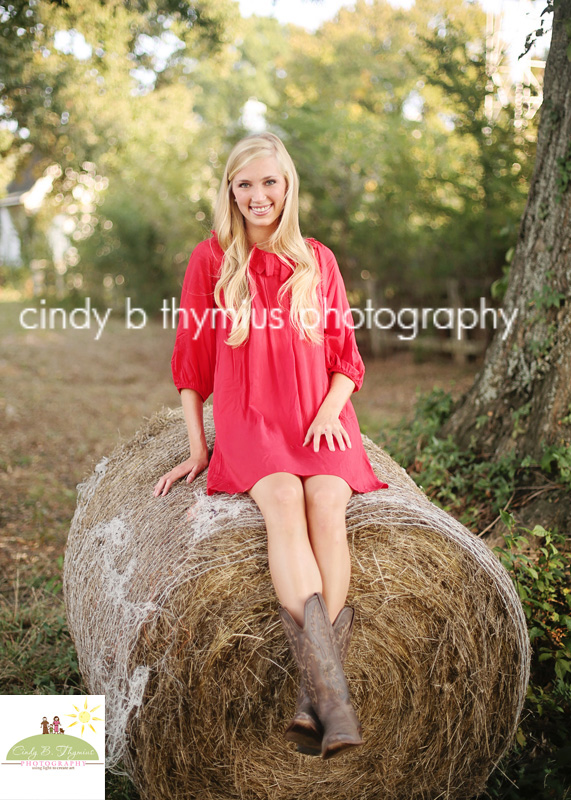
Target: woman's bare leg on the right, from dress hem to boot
<point>326,498</point>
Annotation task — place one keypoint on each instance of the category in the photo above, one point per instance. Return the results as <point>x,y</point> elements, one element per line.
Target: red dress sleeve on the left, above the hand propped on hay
<point>194,355</point>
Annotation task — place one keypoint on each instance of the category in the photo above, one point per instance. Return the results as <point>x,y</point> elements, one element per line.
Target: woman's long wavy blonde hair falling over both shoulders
<point>286,242</point>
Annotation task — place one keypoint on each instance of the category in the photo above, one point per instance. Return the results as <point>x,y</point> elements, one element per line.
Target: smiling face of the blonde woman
<point>260,189</point>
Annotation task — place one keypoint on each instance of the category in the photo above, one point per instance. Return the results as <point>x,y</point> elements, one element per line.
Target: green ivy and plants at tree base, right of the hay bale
<point>538,560</point>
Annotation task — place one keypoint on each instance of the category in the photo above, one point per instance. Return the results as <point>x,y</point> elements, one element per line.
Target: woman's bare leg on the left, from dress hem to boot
<point>294,570</point>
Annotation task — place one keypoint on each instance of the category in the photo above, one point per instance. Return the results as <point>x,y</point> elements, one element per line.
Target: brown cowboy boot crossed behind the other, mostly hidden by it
<point>305,729</point>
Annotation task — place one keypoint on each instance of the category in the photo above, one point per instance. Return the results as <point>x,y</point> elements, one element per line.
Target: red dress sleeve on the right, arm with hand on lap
<point>341,352</point>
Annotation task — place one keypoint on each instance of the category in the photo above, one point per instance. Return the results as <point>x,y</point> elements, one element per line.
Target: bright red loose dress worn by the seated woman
<point>267,391</point>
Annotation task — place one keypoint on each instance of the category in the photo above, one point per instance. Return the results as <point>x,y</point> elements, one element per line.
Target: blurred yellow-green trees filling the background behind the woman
<point>381,108</point>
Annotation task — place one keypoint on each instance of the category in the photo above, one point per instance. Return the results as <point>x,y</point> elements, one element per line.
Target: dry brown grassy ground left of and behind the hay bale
<point>66,400</point>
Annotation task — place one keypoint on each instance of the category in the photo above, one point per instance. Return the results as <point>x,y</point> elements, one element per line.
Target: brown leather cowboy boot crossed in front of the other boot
<point>317,657</point>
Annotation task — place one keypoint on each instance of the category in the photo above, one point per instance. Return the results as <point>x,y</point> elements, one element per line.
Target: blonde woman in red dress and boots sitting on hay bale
<point>265,326</point>
